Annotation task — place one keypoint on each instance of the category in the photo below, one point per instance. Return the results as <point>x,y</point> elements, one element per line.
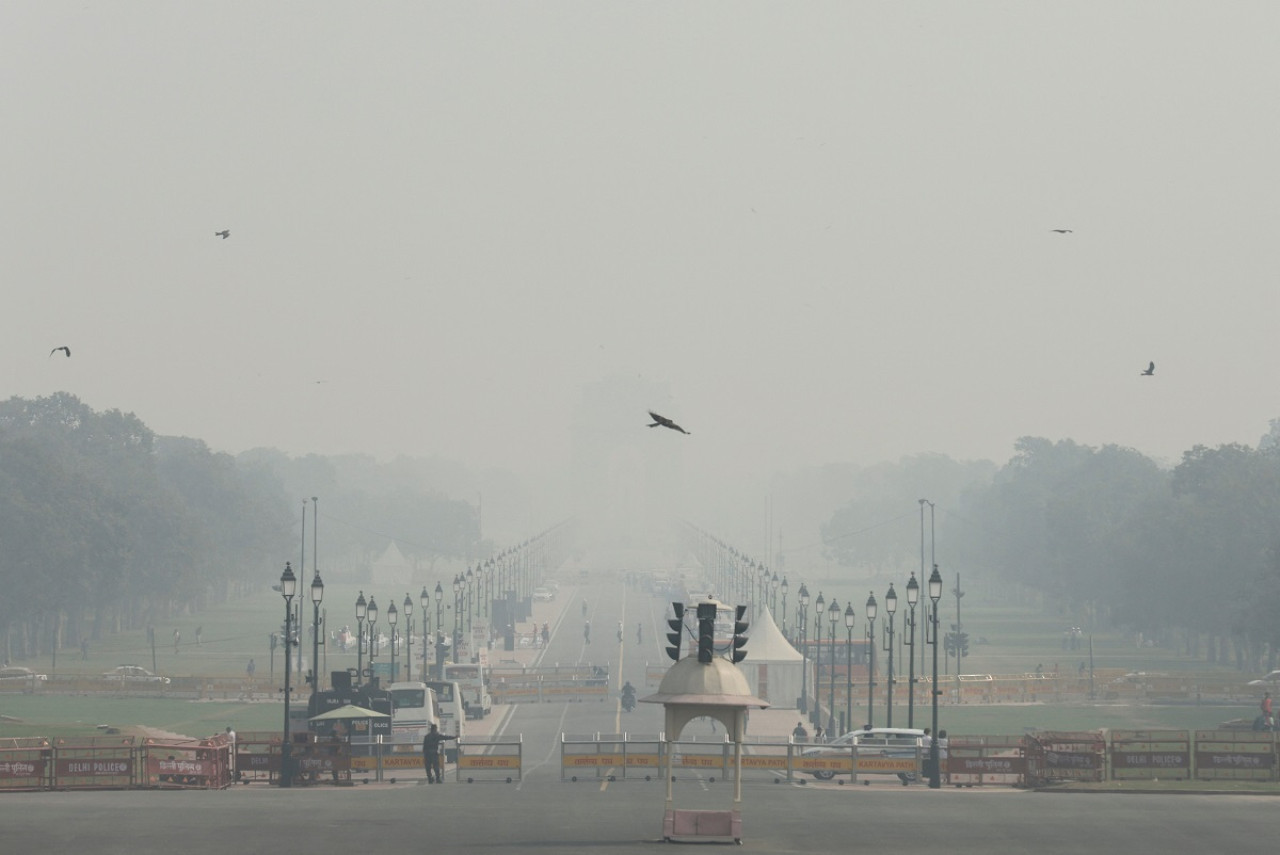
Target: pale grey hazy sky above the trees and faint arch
<point>824,226</point>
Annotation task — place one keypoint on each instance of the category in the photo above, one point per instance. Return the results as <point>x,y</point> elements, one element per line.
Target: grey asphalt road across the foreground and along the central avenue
<point>545,813</point>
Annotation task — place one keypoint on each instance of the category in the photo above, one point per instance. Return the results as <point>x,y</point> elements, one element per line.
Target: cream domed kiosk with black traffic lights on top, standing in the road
<point>705,684</point>
